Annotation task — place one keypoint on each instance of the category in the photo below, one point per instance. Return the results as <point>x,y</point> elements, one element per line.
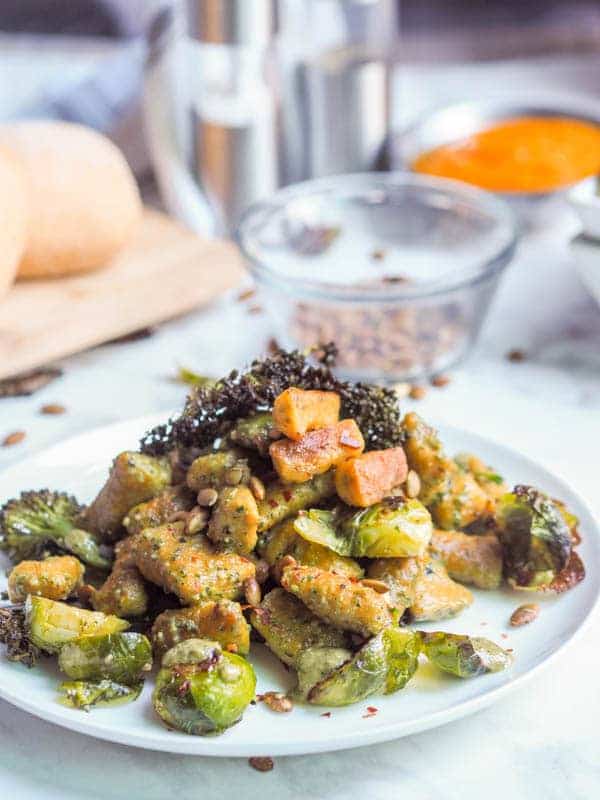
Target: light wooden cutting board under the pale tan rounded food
<point>167,271</point>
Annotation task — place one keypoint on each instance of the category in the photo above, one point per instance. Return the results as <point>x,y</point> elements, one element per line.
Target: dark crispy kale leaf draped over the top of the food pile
<point>211,411</point>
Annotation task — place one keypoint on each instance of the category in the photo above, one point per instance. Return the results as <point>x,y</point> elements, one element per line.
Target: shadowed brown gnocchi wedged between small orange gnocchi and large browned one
<point>124,592</point>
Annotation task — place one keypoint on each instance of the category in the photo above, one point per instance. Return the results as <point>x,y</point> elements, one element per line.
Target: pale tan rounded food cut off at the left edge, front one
<point>13,219</point>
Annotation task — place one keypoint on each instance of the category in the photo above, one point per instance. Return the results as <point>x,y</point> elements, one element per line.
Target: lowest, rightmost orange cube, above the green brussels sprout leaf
<point>367,479</point>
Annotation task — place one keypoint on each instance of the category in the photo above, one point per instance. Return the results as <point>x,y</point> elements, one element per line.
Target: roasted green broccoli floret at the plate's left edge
<point>39,523</point>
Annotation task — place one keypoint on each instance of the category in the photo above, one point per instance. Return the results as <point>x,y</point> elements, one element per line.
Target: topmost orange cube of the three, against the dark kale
<point>297,411</point>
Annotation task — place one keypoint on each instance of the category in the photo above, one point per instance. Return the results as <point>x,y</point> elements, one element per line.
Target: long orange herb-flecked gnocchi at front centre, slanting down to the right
<point>337,599</point>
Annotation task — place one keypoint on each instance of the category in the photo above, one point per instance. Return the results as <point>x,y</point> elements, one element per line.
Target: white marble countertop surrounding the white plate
<point>540,743</point>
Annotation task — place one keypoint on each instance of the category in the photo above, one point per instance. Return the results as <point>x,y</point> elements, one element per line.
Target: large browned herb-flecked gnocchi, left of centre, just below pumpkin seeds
<point>184,566</point>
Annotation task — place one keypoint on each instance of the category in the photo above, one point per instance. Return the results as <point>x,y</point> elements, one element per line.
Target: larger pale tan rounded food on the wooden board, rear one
<point>84,203</point>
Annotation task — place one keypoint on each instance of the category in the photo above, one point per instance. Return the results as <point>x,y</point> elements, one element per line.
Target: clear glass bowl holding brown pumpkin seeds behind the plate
<point>397,269</point>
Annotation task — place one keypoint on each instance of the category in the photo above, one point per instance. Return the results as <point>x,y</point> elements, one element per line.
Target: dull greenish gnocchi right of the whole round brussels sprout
<point>289,628</point>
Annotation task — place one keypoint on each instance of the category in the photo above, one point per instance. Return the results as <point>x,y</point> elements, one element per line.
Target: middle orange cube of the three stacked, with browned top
<point>316,452</point>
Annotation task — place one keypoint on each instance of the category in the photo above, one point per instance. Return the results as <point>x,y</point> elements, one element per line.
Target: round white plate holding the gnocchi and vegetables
<point>79,465</point>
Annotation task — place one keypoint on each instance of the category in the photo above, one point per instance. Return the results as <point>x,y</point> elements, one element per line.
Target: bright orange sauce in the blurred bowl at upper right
<point>530,154</point>
